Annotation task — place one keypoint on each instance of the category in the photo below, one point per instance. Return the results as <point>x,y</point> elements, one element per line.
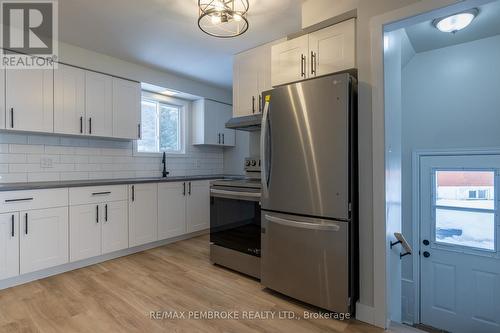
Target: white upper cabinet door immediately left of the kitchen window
<point>126,109</point>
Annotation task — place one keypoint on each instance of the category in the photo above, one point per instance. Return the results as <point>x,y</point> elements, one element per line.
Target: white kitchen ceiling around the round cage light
<point>164,33</point>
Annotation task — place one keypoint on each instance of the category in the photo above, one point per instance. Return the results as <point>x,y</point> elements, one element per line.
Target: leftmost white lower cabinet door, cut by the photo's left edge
<point>9,245</point>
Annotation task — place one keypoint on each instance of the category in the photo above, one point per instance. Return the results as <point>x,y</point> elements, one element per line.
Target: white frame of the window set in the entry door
<point>434,206</point>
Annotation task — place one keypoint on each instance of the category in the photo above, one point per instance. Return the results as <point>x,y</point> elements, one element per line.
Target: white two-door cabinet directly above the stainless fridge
<point>322,52</point>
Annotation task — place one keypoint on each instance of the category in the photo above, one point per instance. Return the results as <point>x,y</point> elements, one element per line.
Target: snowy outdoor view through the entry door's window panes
<point>465,208</point>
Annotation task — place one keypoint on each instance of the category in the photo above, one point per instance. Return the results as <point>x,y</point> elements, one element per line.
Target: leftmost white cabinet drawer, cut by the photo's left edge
<point>33,199</point>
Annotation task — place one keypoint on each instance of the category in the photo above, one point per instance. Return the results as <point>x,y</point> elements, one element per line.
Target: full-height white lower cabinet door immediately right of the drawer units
<point>143,214</point>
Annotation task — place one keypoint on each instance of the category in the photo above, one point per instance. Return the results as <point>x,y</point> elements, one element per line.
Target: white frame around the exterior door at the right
<point>416,203</point>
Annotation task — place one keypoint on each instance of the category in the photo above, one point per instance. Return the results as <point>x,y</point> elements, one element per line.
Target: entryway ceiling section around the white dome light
<point>425,37</point>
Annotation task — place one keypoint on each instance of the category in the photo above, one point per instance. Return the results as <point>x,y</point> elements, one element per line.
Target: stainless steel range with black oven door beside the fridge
<point>235,221</point>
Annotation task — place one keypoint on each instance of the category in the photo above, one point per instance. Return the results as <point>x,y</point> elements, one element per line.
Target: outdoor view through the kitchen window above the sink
<point>161,127</point>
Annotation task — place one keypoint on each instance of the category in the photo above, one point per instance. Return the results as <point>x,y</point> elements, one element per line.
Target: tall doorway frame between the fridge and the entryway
<point>380,313</point>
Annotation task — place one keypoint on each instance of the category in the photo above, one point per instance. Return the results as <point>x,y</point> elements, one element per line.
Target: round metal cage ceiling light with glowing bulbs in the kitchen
<point>223,18</point>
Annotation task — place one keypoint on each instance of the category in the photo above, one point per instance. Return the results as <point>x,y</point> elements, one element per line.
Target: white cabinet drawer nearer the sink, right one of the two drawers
<point>97,194</point>
